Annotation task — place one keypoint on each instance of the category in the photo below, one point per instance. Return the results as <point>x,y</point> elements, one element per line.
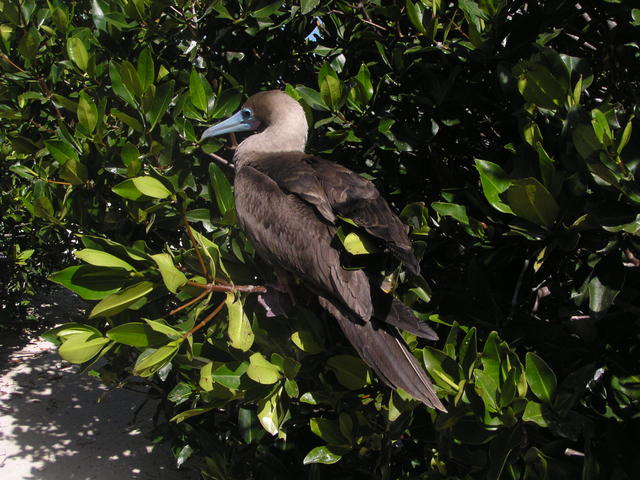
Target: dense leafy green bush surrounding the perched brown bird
<point>503,131</point>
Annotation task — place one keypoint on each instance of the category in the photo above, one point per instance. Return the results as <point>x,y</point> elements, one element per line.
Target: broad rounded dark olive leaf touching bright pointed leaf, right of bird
<point>529,199</point>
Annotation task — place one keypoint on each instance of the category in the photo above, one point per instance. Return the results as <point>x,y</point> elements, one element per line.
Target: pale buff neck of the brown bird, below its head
<point>280,137</point>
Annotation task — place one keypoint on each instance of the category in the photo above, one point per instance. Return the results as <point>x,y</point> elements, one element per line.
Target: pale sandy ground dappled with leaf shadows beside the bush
<point>54,425</point>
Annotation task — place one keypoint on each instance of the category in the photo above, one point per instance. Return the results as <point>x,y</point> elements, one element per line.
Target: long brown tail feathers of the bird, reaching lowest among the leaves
<point>387,354</point>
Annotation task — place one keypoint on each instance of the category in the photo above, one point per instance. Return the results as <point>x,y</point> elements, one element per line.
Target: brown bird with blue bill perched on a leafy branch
<point>289,202</point>
